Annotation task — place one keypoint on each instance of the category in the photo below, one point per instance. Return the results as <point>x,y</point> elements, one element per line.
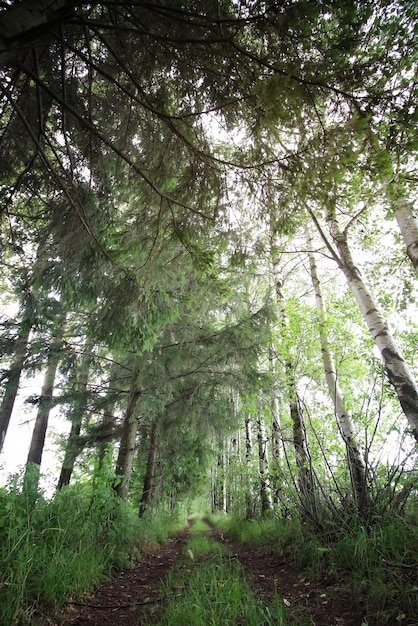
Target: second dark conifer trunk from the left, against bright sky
<point>45,404</point>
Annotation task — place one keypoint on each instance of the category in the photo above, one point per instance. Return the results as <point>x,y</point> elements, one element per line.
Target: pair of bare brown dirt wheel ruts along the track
<point>136,596</point>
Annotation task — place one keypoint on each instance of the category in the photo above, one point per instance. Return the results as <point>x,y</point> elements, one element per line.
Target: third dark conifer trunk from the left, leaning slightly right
<point>74,445</point>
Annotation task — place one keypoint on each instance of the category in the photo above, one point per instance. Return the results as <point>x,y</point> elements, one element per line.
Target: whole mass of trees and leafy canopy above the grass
<point>209,247</point>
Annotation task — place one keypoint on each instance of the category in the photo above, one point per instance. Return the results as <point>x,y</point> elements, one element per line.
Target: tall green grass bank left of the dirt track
<point>51,550</point>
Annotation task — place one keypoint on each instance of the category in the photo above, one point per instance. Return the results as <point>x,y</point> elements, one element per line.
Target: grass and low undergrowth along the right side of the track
<point>378,563</point>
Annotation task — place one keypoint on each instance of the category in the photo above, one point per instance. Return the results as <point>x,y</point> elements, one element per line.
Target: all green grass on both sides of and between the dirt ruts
<point>53,550</point>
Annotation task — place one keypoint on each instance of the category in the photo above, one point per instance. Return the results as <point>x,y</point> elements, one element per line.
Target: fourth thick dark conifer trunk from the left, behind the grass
<point>124,462</point>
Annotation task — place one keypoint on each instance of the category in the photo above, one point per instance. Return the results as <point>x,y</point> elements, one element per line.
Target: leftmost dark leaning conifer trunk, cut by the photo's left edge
<point>15,370</point>
